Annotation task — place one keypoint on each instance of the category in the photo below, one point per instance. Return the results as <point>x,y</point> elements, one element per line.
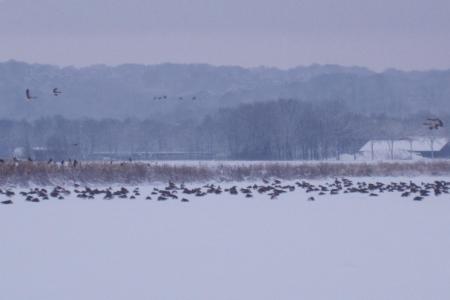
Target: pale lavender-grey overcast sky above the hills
<point>379,34</point>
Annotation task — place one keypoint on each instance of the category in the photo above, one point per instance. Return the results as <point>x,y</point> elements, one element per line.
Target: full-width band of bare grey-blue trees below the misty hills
<point>279,130</point>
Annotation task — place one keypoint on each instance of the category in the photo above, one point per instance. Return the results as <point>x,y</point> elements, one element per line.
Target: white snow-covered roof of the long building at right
<point>416,144</point>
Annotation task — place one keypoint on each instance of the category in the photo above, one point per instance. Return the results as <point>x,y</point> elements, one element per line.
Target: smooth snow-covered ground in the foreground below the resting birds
<point>227,247</point>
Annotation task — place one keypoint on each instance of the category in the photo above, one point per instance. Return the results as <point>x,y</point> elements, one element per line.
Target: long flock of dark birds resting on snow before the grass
<point>271,188</point>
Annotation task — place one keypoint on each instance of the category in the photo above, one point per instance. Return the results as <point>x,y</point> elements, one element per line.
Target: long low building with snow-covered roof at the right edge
<point>411,148</point>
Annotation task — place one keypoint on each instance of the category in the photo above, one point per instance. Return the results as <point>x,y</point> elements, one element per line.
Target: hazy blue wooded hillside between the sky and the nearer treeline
<point>130,90</point>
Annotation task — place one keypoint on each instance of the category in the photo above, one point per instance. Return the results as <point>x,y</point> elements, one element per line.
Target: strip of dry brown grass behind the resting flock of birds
<point>24,173</point>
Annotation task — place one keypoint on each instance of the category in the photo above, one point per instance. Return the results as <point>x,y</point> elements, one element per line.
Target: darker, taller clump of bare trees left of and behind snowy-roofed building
<point>289,129</point>
